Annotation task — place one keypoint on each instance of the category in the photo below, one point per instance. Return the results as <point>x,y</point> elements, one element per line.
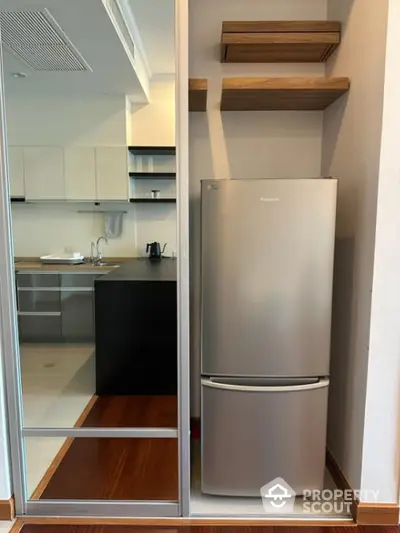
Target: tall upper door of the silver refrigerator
<point>267,266</point>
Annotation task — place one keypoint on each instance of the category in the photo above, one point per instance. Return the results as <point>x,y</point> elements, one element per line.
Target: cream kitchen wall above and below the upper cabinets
<point>86,121</point>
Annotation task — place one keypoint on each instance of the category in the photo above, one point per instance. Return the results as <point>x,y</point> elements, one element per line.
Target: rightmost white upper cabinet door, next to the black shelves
<point>112,173</point>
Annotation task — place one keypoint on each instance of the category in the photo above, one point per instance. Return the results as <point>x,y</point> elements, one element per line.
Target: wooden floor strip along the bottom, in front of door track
<point>36,528</point>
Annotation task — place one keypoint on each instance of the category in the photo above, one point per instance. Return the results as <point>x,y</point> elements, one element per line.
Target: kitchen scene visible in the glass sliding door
<point>94,318</point>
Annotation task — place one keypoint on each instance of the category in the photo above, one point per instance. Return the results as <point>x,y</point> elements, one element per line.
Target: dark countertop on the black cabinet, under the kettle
<point>142,269</point>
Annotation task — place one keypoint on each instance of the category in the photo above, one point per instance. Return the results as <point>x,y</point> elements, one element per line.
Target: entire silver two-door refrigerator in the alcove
<point>267,268</point>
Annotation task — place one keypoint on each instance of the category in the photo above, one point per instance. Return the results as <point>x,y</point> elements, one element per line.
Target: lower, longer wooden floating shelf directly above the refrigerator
<point>281,94</point>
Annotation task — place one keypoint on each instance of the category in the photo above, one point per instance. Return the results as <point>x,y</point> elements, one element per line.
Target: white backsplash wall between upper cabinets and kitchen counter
<point>50,228</point>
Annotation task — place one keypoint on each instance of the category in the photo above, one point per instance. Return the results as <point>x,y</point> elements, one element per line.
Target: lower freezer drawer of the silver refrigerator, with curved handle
<point>252,434</point>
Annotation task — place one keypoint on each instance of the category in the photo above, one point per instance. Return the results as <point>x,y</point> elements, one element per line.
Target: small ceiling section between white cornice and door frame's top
<point>155,20</point>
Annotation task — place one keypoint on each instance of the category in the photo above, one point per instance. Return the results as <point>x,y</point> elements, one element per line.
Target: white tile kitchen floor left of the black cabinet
<point>58,380</point>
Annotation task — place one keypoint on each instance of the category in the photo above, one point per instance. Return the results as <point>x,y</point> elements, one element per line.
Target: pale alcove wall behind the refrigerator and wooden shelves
<point>243,144</point>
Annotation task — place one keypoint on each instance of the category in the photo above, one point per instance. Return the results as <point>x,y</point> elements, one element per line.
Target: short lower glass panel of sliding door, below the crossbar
<point>101,468</point>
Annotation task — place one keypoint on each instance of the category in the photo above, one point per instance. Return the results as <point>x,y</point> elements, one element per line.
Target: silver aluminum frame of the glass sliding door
<point>10,344</point>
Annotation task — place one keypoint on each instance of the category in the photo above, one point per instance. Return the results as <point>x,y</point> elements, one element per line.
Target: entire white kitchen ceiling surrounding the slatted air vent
<point>90,29</point>
